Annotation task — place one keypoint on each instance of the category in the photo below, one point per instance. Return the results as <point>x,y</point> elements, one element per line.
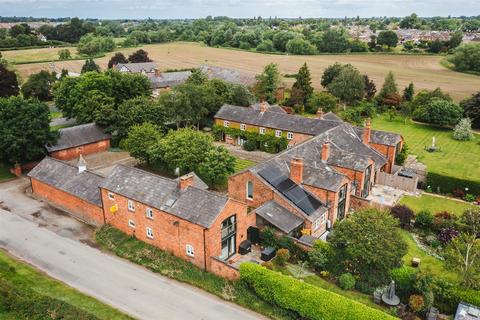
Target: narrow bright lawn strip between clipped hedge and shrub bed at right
<point>434,204</point>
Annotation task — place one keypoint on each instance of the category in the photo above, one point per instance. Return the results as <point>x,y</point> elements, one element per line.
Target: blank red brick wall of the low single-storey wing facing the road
<point>79,208</point>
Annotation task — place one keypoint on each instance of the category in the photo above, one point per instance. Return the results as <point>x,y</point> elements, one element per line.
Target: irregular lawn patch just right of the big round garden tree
<point>435,266</point>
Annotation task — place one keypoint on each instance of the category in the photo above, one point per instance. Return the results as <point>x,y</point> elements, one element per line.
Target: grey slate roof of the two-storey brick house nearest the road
<point>195,205</point>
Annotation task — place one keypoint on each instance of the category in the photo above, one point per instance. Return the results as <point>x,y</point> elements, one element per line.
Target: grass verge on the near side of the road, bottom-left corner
<point>25,278</point>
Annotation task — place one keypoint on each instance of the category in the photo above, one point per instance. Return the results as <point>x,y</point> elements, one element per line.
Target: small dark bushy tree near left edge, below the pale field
<point>39,85</point>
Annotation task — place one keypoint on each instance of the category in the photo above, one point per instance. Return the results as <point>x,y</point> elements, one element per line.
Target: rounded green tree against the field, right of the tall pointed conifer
<point>348,86</point>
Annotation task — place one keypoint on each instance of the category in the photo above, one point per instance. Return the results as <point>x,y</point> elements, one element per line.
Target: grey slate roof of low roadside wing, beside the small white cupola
<point>63,176</point>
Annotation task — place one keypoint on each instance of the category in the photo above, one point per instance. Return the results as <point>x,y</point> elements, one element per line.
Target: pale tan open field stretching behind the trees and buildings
<point>425,71</point>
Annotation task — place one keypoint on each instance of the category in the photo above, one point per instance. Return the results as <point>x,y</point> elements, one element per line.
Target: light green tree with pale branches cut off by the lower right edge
<point>463,255</point>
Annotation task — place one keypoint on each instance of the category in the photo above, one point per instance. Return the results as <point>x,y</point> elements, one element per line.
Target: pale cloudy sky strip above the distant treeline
<point>134,9</point>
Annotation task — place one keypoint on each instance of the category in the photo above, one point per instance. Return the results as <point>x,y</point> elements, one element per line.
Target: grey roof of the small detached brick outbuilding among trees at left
<point>78,136</point>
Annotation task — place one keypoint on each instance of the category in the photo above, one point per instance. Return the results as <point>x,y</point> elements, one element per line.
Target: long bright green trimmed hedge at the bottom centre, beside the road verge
<point>307,301</point>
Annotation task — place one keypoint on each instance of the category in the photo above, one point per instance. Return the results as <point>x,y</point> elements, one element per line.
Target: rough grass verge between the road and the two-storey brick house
<point>173,267</point>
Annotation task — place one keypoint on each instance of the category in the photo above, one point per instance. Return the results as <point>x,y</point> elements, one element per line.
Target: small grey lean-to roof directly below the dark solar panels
<point>279,216</point>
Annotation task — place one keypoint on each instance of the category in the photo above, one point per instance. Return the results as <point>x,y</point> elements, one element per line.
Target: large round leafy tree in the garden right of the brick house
<point>369,245</point>
